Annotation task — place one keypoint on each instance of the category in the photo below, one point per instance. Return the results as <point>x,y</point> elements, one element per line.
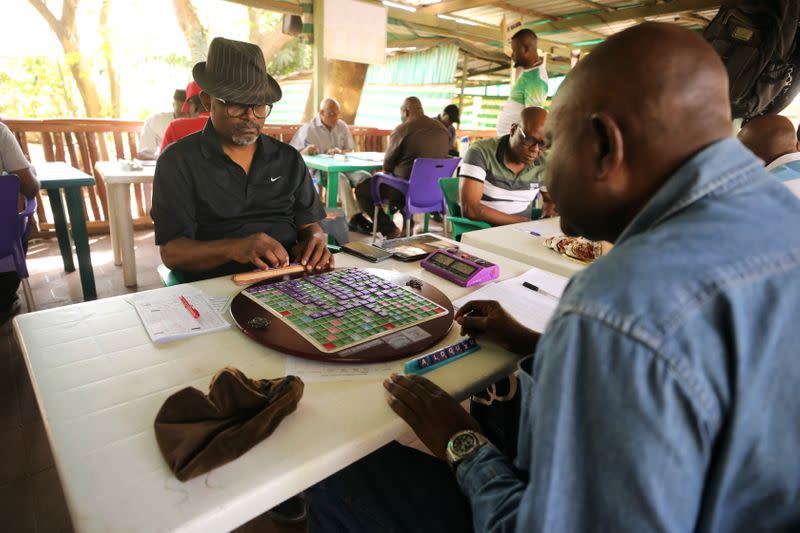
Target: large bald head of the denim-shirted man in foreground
<point>640,105</point>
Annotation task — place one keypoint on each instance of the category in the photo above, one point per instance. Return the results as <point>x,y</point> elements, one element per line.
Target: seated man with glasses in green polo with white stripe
<point>501,177</point>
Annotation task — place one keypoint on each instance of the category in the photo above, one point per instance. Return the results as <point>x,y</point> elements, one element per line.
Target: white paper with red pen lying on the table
<point>165,318</point>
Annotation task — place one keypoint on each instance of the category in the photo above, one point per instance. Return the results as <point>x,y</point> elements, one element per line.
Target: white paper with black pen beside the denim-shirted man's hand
<point>530,308</point>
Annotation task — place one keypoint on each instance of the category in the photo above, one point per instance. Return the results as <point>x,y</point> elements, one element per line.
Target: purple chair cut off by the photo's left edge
<point>14,230</point>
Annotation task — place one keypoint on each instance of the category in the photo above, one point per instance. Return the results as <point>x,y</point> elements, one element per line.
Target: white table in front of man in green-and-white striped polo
<point>516,242</point>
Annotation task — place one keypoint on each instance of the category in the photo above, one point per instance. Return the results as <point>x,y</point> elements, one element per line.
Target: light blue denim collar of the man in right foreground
<point>715,169</point>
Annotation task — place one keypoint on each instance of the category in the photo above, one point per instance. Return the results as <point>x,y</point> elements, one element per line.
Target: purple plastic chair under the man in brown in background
<point>421,189</point>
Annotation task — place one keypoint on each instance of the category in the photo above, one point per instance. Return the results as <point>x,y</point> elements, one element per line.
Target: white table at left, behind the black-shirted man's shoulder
<point>118,178</point>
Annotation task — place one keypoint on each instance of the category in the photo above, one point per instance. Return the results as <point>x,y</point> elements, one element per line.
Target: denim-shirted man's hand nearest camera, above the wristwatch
<point>434,415</point>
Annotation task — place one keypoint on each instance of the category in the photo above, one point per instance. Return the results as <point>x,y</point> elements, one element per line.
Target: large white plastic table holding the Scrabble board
<point>100,381</point>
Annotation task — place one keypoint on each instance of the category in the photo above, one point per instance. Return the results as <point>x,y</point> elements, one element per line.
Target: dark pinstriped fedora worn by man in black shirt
<point>235,71</point>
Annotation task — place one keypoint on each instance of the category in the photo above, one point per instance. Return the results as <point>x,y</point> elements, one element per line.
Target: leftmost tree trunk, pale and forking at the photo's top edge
<point>65,30</point>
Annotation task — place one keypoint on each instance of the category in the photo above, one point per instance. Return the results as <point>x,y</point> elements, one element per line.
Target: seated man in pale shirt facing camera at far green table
<point>327,134</point>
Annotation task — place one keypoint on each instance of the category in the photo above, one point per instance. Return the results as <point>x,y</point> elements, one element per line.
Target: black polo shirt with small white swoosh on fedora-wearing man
<point>200,193</point>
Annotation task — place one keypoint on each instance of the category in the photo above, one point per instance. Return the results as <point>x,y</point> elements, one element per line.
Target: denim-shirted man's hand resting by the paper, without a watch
<point>489,319</point>
